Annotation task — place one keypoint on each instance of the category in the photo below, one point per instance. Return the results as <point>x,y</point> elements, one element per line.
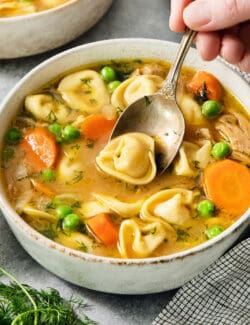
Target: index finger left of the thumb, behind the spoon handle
<point>176,22</point>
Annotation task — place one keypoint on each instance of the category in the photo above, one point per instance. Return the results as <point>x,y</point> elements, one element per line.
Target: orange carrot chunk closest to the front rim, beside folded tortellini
<point>103,228</point>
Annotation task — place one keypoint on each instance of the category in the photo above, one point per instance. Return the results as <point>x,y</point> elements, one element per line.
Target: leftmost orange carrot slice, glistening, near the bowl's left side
<point>41,148</point>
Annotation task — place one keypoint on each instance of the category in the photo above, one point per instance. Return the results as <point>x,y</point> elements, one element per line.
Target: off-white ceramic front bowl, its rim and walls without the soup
<point>126,276</point>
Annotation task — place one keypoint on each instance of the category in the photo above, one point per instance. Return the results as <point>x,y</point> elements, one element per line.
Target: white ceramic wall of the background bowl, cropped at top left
<point>42,31</point>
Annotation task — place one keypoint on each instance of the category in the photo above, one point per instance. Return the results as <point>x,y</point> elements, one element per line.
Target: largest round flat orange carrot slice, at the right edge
<point>227,184</point>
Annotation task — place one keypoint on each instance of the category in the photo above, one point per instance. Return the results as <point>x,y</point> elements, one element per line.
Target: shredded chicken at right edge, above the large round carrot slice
<point>235,129</point>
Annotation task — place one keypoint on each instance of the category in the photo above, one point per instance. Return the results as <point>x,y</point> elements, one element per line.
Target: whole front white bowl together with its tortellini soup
<point>97,212</point>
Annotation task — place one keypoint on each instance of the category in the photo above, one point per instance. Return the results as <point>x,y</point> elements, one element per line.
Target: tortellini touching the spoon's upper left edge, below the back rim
<point>134,88</point>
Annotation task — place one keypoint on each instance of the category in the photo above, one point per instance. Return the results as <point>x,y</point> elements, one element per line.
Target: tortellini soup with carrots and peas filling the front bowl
<point>105,198</point>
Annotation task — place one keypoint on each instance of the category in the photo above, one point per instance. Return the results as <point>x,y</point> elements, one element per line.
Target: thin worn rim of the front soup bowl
<point>9,212</point>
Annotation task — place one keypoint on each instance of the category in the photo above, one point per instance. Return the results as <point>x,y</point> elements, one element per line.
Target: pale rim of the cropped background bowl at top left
<point>38,14</point>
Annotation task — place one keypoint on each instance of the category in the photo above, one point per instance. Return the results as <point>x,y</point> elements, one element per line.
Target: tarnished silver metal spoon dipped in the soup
<point>158,115</point>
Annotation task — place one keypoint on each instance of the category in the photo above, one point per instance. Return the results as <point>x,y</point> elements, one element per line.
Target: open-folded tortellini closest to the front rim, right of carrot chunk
<point>140,241</point>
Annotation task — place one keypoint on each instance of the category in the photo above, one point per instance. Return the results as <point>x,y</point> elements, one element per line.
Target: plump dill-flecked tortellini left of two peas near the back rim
<point>85,91</point>
